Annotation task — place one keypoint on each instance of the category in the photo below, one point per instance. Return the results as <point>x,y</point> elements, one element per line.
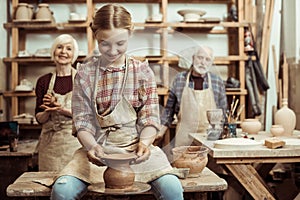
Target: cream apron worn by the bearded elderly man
<point>192,115</point>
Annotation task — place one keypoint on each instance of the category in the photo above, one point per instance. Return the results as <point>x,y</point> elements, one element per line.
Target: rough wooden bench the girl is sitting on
<point>194,188</point>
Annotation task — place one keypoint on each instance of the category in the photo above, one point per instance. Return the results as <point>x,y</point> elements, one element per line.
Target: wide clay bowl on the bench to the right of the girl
<point>192,157</point>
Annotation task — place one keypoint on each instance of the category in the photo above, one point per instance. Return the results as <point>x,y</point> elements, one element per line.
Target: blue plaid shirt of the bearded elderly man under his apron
<point>174,98</point>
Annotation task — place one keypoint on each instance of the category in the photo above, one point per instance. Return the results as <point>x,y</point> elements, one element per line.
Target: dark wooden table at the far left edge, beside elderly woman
<point>13,164</point>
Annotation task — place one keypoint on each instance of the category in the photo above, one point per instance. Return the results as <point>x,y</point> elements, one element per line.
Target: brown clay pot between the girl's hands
<point>118,174</point>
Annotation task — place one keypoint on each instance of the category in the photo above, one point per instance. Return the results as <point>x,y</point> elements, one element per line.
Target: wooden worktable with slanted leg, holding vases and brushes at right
<point>240,162</point>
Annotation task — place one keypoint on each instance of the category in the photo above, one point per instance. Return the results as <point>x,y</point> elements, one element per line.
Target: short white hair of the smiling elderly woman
<point>62,39</point>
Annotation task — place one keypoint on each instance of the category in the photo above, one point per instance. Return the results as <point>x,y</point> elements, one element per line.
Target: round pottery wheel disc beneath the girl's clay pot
<point>137,188</point>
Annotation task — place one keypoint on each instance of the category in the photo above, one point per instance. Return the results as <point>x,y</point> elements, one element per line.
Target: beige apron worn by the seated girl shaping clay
<point>118,135</point>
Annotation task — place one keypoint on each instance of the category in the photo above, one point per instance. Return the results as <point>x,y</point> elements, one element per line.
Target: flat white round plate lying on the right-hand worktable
<point>236,143</point>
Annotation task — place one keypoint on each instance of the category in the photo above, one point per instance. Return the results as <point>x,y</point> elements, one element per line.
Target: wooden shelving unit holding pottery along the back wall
<point>235,31</point>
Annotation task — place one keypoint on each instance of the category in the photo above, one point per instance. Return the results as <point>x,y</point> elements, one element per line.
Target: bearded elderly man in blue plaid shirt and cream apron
<point>191,94</point>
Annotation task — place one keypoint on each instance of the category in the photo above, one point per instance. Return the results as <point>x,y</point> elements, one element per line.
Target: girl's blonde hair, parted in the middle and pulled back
<point>111,16</point>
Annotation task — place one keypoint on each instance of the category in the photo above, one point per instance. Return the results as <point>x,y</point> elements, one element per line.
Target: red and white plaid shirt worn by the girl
<point>140,90</point>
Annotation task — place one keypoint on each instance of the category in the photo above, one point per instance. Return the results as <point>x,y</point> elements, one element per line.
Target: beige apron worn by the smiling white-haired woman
<point>56,143</point>
